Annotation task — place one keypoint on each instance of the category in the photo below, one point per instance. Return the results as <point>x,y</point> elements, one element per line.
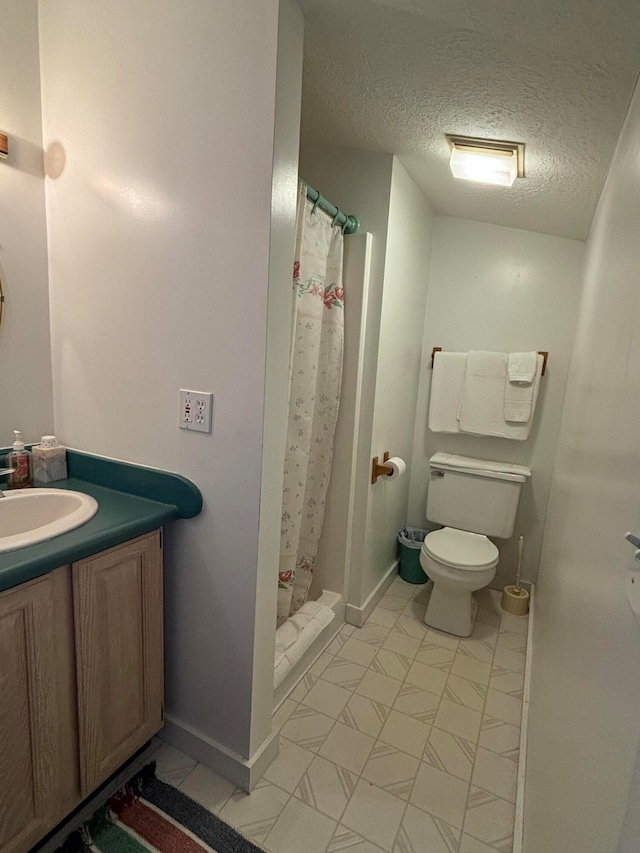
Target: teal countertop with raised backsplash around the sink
<point>125,511</point>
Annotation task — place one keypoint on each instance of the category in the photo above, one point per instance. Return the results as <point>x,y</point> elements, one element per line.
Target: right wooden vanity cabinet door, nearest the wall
<point>118,618</point>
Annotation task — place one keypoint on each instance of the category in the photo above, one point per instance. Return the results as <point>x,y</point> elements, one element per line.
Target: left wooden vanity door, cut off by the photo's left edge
<point>29,715</point>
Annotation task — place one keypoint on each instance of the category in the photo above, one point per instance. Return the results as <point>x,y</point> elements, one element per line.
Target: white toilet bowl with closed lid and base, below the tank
<point>458,563</point>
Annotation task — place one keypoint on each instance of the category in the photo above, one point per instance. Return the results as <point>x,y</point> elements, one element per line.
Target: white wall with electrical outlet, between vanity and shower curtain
<point>159,261</point>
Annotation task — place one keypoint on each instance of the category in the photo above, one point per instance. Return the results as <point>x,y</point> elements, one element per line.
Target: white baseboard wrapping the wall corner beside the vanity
<point>244,772</point>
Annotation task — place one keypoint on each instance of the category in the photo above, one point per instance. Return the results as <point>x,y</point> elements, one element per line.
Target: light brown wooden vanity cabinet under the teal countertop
<point>81,682</point>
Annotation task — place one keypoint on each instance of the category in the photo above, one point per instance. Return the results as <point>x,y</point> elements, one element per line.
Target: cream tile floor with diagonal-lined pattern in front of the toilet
<point>399,739</point>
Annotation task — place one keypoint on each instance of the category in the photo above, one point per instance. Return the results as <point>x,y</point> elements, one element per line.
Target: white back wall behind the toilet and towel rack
<point>496,288</point>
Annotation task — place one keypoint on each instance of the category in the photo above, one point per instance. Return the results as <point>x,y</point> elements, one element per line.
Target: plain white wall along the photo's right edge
<point>585,699</point>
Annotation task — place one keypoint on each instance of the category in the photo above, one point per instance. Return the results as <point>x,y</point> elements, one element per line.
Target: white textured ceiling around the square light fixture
<point>396,75</point>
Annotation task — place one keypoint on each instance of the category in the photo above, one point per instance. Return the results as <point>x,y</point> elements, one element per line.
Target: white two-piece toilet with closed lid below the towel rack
<point>472,499</point>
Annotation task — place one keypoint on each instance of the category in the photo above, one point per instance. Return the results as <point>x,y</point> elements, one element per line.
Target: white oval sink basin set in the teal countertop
<point>28,516</point>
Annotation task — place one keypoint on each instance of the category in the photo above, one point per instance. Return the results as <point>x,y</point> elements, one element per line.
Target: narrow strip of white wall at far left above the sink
<point>25,353</point>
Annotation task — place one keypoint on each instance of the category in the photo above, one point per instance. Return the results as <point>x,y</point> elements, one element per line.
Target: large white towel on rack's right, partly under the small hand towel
<point>481,409</point>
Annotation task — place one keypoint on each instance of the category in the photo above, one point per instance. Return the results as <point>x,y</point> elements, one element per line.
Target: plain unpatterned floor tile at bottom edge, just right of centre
<point>374,814</point>
